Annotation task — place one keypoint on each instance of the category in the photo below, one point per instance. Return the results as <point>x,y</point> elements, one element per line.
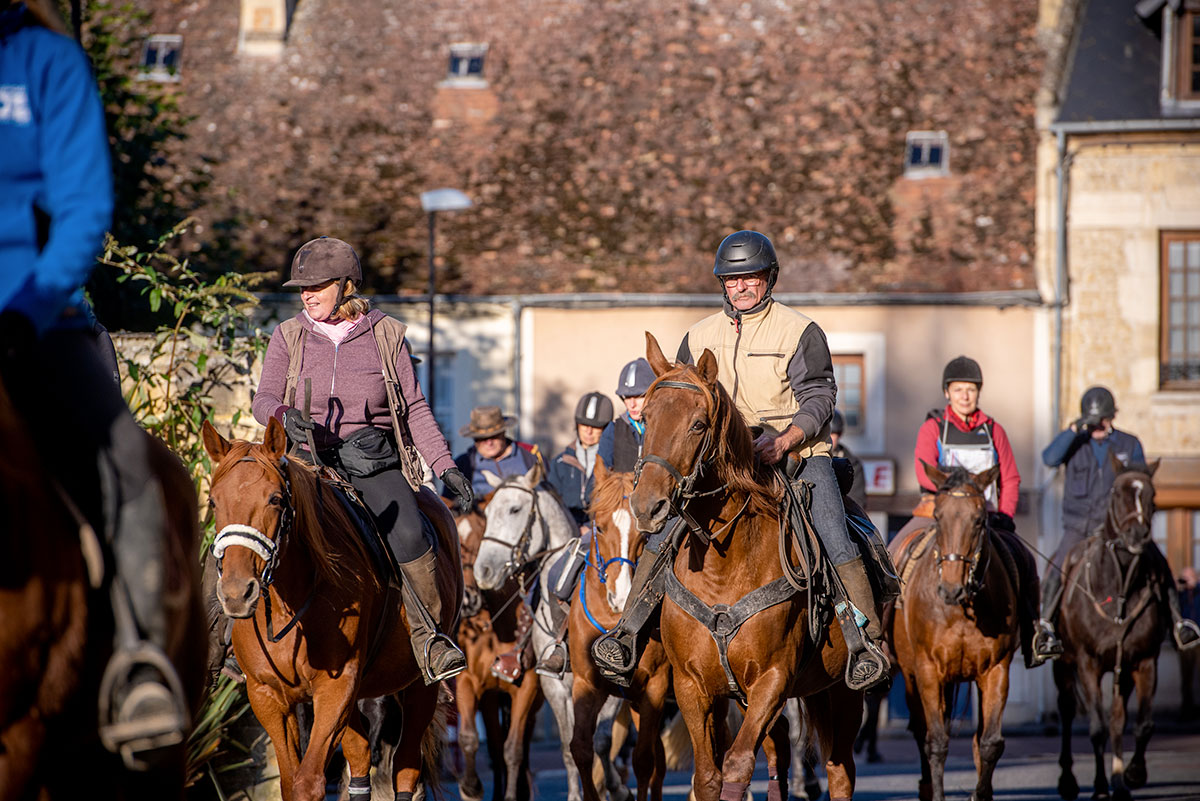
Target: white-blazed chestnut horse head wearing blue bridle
<point>616,545</point>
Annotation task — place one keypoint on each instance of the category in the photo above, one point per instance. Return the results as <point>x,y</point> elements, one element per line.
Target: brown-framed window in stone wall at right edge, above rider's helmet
<point>1180,321</point>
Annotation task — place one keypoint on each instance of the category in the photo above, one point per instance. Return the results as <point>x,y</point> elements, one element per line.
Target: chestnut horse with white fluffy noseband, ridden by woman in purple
<point>338,635</point>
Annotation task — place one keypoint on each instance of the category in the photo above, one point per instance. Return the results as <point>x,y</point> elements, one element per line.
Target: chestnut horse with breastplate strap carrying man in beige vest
<point>698,459</point>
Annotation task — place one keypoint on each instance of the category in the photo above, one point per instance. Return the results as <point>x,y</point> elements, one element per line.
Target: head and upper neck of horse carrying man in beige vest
<point>695,439</point>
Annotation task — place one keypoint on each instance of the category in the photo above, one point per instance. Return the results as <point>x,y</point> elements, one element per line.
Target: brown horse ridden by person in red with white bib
<point>958,621</point>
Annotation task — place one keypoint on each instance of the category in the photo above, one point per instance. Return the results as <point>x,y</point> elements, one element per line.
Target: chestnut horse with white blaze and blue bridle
<point>596,609</point>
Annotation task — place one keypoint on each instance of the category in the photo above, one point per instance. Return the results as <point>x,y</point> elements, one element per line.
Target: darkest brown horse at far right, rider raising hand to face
<point>1112,621</point>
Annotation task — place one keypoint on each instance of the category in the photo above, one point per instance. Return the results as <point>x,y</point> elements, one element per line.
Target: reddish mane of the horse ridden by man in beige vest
<point>737,466</point>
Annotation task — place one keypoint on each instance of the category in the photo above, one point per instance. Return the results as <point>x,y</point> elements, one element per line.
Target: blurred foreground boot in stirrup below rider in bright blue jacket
<point>143,706</point>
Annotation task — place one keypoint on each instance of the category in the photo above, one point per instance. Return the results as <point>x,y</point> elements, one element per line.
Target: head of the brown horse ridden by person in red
<point>962,514</point>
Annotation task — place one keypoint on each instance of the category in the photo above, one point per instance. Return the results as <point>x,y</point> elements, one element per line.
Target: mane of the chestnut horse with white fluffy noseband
<point>323,526</point>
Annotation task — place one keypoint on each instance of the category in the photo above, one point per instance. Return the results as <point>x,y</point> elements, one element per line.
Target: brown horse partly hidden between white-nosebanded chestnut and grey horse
<point>494,623</point>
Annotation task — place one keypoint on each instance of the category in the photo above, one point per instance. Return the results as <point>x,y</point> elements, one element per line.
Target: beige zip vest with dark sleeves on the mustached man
<point>777,366</point>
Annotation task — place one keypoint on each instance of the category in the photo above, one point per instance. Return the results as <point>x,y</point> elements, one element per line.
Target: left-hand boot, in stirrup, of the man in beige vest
<point>616,653</point>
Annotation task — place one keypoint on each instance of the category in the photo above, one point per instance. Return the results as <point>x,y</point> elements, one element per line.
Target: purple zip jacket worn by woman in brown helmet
<point>349,392</point>
